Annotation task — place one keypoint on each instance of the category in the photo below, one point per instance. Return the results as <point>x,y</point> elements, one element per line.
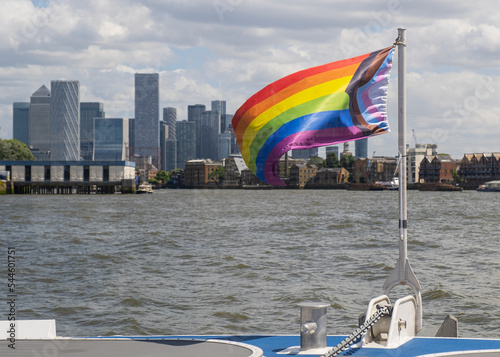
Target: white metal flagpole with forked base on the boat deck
<point>403,273</point>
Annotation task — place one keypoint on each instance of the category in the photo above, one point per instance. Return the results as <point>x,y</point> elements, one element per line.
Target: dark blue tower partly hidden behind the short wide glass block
<point>88,112</point>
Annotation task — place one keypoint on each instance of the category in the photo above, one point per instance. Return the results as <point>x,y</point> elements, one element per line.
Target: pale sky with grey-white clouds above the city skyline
<point>229,49</point>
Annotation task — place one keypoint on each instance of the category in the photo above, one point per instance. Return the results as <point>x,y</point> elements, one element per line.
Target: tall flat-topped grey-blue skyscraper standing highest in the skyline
<point>147,116</point>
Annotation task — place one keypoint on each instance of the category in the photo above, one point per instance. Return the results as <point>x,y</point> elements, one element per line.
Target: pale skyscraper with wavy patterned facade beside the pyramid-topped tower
<point>65,120</point>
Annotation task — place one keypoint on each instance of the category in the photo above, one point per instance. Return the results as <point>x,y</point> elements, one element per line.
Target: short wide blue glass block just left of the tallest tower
<point>111,139</point>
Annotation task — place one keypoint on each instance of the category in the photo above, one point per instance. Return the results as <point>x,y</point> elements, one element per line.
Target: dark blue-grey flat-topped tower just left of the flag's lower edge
<point>209,141</point>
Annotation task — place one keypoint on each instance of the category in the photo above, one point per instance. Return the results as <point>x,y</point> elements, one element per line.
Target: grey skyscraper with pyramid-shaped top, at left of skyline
<point>40,123</point>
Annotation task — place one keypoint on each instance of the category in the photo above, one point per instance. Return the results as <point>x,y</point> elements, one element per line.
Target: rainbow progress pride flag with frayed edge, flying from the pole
<point>325,105</point>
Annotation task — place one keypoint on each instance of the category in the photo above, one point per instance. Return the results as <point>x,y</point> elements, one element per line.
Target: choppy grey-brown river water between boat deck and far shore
<point>233,261</point>
